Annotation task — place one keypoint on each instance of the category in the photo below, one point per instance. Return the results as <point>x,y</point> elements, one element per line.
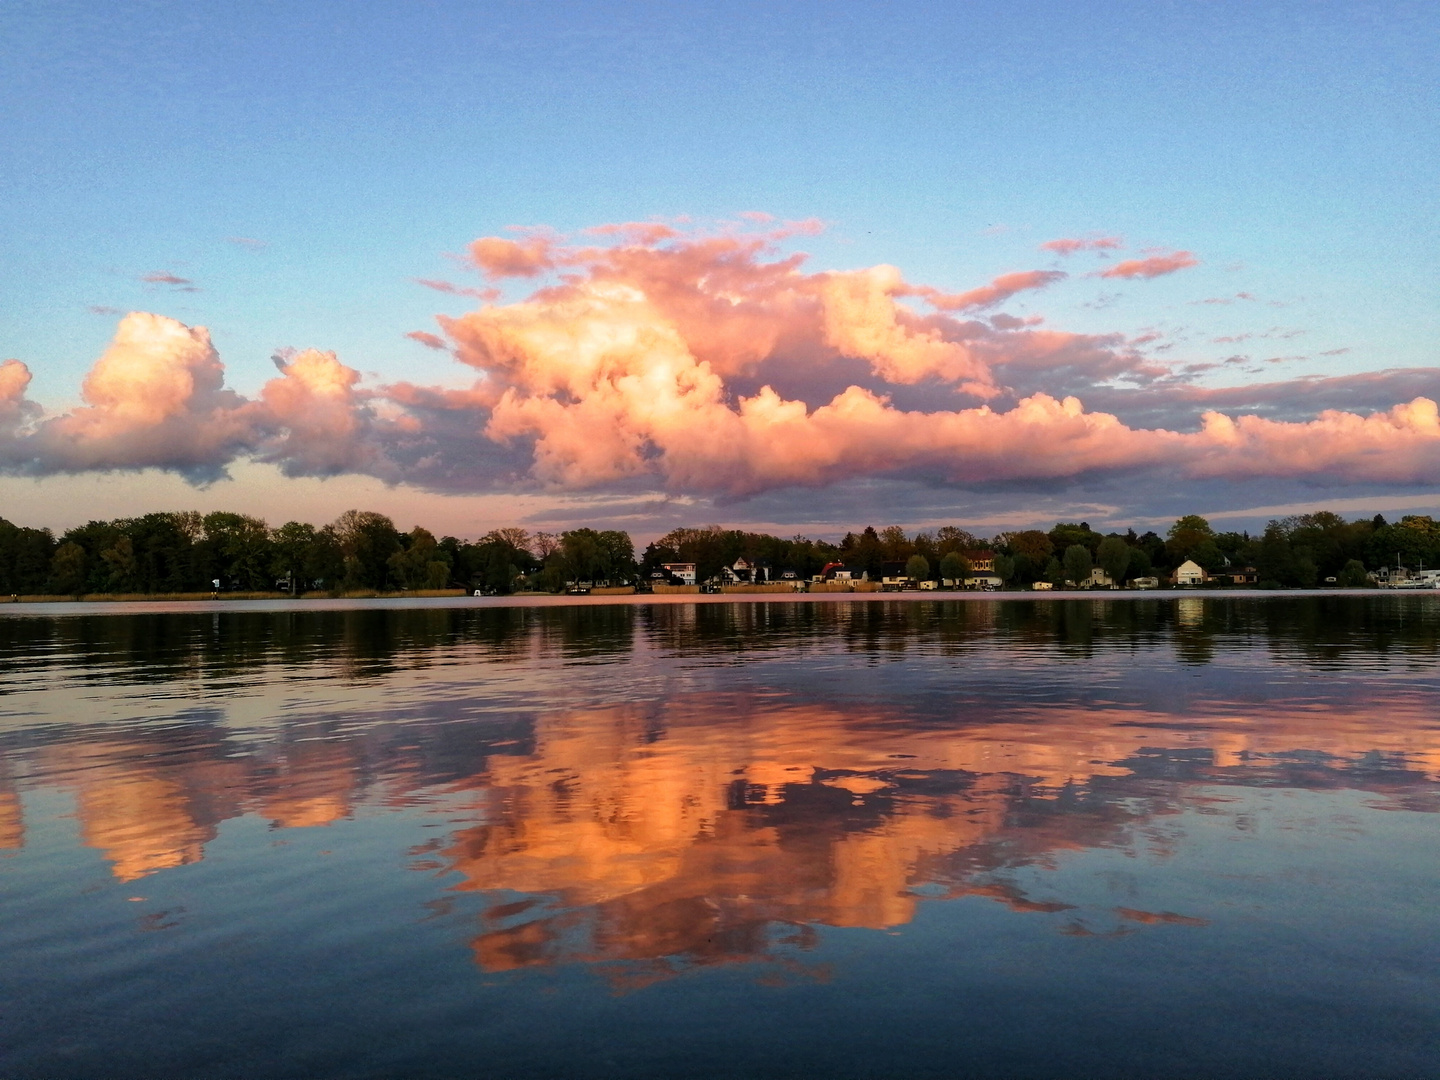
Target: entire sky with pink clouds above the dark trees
<point>787,267</point>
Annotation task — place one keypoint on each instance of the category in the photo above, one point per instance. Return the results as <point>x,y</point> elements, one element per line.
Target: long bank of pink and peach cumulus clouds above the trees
<point>718,365</point>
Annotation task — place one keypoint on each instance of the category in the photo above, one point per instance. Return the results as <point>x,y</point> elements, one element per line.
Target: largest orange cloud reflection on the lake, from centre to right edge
<point>689,830</point>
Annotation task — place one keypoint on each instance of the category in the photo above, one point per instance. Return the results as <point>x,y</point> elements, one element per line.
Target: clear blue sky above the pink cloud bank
<point>1291,148</point>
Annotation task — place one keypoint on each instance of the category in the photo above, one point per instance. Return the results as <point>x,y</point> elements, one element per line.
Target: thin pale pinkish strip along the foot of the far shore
<point>207,607</point>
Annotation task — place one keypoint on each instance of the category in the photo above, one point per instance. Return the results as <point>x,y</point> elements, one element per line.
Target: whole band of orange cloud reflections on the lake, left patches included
<point>699,826</point>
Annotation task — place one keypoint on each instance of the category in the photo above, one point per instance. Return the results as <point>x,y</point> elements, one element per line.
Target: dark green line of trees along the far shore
<point>364,551</point>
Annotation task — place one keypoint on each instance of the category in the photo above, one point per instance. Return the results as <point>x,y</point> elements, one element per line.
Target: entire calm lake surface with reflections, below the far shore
<point>1160,837</point>
